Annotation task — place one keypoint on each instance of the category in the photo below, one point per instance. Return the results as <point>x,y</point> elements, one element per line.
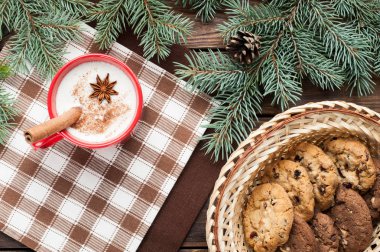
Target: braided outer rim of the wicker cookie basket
<point>276,123</point>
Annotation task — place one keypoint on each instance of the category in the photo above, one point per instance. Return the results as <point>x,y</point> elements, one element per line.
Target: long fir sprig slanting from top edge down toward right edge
<point>346,46</point>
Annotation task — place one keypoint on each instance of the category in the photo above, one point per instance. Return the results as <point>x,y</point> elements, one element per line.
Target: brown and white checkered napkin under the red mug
<point>67,198</point>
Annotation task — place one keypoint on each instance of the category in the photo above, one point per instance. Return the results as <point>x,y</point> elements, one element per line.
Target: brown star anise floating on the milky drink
<point>103,89</point>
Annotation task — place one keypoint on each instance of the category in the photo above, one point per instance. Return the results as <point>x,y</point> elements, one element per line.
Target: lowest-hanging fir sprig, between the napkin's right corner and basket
<point>234,117</point>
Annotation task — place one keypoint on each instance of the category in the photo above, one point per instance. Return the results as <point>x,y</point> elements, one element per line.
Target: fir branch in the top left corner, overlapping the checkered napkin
<point>42,29</point>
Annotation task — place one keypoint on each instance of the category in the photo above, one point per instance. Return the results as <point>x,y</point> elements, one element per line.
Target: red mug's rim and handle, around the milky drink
<point>64,134</point>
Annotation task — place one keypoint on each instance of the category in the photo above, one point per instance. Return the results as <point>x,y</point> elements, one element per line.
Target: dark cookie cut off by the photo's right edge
<point>372,197</point>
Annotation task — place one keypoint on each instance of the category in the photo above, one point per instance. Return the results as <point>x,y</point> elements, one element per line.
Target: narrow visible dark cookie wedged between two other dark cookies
<point>326,233</point>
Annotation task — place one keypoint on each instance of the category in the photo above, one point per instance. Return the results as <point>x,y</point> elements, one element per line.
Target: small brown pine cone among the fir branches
<point>244,46</point>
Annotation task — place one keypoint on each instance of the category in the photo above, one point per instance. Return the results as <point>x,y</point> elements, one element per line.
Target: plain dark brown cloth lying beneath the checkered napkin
<point>193,187</point>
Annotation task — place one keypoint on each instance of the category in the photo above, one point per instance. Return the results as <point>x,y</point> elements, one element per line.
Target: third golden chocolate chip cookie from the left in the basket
<point>322,172</point>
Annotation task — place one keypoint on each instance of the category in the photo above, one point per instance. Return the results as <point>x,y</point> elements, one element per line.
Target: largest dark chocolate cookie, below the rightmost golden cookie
<point>352,217</point>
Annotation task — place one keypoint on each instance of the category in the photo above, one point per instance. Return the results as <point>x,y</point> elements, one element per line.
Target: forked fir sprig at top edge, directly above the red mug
<point>153,21</point>
